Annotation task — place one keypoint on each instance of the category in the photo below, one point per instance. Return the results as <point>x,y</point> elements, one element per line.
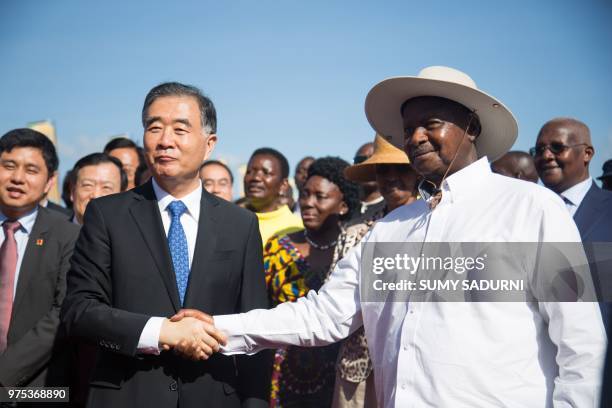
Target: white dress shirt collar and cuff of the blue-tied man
<point>149,338</point>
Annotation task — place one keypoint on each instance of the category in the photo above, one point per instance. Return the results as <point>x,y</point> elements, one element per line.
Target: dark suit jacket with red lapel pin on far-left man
<point>33,333</point>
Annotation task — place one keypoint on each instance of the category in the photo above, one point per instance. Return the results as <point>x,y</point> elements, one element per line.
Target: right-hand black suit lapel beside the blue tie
<point>205,245</point>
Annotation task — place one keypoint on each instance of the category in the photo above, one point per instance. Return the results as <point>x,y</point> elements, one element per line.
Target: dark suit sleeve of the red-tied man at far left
<point>33,351</point>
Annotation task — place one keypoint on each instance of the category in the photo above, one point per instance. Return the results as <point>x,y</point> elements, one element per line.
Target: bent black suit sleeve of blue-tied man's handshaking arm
<point>87,310</point>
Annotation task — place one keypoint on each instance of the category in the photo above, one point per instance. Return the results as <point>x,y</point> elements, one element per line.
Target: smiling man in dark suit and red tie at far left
<point>36,245</point>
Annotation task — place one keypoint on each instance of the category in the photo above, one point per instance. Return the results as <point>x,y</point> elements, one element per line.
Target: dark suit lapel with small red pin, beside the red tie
<point>32,257</point>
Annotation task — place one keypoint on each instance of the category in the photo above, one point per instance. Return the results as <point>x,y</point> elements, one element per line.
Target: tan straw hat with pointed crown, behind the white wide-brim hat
<point>384,153</point>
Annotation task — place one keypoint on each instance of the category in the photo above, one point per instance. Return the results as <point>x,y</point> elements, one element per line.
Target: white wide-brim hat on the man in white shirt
<point>384,101</point>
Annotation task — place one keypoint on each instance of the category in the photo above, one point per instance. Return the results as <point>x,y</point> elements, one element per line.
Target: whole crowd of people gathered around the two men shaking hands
<point>153,286</point>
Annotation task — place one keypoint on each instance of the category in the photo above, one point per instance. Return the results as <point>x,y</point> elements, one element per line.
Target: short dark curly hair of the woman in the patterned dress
<point>332,169</point>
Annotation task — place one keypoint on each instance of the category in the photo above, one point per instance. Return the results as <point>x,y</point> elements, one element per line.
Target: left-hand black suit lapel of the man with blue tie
<point>145,212</point>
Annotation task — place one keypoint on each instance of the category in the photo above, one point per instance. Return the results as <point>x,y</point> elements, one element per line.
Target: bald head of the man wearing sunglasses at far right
<point>563,152</point>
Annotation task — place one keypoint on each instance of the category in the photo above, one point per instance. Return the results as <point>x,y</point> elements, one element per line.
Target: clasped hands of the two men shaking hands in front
<point>192,334</point>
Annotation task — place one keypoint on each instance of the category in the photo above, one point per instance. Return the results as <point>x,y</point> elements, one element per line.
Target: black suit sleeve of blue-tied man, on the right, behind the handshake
<point>254,372</point>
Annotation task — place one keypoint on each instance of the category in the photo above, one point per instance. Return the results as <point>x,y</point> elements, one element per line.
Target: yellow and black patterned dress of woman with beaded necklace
<point>301,377</point>
